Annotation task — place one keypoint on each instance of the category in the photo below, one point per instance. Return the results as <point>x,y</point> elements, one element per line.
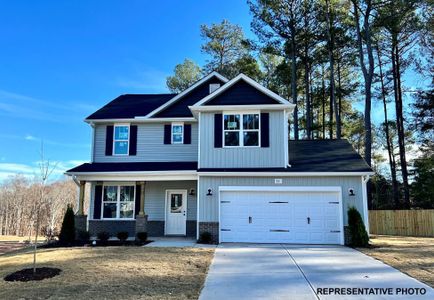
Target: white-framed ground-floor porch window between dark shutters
<point>118,201</point>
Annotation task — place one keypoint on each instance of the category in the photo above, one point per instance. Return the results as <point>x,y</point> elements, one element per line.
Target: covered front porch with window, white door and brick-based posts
<point>160,208</point>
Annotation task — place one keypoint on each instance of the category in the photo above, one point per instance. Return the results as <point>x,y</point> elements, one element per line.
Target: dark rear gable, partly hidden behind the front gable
<point>180,108</point>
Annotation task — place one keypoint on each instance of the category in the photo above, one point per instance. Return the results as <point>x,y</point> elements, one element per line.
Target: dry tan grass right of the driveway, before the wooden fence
<point>411,255</point>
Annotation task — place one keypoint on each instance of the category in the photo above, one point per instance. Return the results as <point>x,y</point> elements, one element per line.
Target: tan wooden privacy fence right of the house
<point>402,222</point>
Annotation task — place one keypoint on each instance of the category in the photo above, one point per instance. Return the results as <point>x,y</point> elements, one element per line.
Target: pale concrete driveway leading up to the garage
<point>254,271</point>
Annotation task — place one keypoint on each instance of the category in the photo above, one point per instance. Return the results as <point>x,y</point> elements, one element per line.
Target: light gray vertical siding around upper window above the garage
<point>242,157</point>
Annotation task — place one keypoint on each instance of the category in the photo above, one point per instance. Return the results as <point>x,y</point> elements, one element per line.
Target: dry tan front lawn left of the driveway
<point>111,273</point>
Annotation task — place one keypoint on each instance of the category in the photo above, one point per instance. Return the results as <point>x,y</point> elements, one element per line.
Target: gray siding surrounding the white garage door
<point>208,205</point>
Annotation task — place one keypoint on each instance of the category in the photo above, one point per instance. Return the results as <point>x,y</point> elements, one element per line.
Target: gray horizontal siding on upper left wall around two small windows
<point>150,146</point>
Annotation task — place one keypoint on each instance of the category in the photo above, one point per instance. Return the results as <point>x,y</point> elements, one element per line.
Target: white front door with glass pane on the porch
<point>176,212</point>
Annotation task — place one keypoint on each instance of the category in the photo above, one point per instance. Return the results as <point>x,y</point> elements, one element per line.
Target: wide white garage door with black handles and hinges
<point>293,216</point>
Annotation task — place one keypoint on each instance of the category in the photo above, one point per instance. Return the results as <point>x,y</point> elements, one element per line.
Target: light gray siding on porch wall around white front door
<point>155,197</point>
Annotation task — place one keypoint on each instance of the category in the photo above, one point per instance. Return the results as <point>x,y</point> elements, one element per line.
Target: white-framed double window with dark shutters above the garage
<point>241,129</point>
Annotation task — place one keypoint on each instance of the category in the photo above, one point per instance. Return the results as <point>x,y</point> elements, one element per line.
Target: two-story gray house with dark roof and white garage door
<point>217,158</point>
